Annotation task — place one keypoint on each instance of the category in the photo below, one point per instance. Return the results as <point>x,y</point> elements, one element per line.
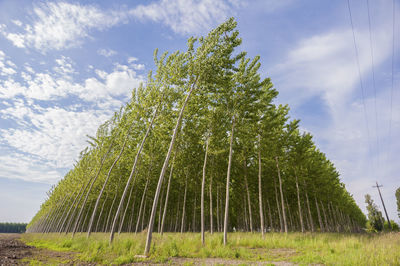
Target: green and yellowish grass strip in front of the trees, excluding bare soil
<point>303,249</point>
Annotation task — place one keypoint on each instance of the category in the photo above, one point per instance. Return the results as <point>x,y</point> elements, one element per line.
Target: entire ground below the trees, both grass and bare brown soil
<point>186,249</point>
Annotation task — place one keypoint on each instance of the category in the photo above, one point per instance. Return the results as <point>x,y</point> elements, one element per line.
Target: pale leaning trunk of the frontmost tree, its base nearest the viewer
<point>163,170</point>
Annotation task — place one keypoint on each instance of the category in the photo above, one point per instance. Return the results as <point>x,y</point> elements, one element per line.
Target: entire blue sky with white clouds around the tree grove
<point>67,66</point>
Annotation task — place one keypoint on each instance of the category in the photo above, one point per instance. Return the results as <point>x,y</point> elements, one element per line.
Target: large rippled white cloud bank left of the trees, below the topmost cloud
<point>55,135</point>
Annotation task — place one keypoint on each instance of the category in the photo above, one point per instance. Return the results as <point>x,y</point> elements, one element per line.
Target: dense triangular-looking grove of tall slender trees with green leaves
<point>201,146</point>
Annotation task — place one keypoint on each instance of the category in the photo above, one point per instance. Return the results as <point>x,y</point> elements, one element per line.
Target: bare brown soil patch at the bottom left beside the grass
<point>15,252</point>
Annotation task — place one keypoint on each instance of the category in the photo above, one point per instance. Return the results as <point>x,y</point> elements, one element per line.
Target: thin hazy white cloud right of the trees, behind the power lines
<point>324,67</point>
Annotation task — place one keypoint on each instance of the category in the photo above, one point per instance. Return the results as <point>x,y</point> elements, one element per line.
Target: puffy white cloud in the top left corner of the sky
<point>60,25</point>
